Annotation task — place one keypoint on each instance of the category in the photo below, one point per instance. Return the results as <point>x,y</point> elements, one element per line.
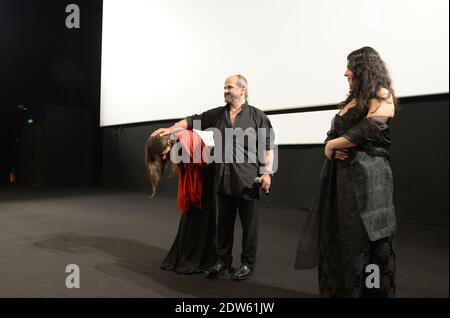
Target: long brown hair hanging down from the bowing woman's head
<point>155,164</point>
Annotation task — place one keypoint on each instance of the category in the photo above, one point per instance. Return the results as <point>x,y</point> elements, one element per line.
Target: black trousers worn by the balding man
<point>228,207</point>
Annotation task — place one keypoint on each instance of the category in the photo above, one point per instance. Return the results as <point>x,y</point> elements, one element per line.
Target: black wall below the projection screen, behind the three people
<point>419,161</point>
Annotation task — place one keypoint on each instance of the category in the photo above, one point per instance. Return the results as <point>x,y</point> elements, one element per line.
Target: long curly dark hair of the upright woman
<point>370,75</point>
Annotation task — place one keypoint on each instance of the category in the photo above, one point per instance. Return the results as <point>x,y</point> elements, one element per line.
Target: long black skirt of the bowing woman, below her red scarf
<point>194,248</point>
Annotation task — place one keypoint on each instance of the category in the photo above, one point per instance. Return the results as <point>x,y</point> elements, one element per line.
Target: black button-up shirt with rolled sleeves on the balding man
<point>237,178</point>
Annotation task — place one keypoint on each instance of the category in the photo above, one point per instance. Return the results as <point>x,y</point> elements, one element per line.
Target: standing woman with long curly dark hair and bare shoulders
<point>349,231</point>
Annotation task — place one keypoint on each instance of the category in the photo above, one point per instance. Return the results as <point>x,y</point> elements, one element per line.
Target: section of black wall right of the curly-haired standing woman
<point>420,159</point>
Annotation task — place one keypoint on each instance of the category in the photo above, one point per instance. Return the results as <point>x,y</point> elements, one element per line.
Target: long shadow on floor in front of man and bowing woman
<point>139,264</point>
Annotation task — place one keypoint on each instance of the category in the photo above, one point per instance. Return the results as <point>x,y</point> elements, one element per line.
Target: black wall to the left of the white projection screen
<point>46,65</point>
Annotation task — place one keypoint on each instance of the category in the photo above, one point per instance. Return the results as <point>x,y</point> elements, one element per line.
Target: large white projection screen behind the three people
<point>166,59</point>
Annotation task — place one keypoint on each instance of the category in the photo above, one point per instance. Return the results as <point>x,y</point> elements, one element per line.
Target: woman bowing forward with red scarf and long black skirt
<point>193,250</point>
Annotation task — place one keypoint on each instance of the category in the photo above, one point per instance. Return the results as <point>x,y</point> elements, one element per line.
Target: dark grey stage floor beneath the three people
<point>118,239</point>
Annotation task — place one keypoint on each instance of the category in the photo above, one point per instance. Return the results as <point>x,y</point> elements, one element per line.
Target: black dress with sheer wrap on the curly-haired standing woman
<point>352,221</point>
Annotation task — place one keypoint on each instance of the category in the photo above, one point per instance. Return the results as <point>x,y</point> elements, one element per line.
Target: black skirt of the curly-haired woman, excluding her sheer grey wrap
<point>346,250</point>
